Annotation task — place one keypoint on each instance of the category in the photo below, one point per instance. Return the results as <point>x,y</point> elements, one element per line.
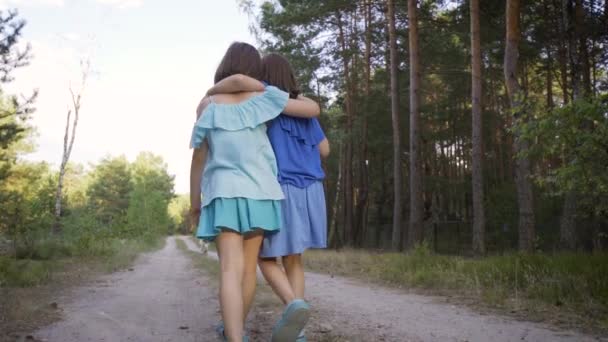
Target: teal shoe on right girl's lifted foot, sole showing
<point>292,322</point>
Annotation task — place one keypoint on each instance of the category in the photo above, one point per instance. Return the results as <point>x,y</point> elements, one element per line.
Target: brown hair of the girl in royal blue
<point>278,72</point>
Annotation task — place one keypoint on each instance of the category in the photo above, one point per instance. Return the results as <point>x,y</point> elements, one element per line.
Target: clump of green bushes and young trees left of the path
<point>110,215</point>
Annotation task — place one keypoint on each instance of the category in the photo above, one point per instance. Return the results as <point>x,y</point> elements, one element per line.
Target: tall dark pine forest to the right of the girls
<point>471,126</point>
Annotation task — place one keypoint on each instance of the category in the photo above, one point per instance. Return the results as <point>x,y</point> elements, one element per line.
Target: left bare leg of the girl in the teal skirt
<point>230,247</point>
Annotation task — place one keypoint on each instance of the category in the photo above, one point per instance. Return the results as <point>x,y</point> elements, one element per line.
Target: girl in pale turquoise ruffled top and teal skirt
<point>234,167</point>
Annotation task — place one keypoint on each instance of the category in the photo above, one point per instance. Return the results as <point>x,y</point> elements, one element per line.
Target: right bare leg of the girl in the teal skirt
<point>251,250</point>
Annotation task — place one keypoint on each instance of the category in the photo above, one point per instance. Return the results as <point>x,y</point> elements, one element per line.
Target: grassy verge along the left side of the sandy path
<point>27,286</point>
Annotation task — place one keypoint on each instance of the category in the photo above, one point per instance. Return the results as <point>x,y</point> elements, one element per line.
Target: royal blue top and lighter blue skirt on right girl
<point>295,142</point>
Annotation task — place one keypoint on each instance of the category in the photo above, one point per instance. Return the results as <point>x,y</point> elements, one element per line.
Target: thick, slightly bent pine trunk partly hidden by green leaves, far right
<point>522,164</point>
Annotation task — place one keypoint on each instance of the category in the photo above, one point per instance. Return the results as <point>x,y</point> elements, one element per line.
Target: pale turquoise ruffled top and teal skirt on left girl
<point>239,183</point>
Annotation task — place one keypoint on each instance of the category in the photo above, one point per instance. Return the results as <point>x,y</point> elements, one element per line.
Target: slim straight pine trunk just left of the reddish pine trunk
<point>396,237</point>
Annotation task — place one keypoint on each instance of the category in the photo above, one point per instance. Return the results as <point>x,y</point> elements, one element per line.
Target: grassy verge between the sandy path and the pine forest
<point>567,287</point>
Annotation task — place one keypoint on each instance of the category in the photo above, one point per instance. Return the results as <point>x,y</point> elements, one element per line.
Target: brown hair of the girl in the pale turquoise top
<point>240,58</point>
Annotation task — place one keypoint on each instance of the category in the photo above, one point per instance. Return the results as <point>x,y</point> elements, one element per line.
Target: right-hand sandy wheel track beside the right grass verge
<point>364,313</point>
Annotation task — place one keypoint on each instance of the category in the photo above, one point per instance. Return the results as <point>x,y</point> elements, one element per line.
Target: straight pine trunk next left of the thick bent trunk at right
<point>479,246</point>
